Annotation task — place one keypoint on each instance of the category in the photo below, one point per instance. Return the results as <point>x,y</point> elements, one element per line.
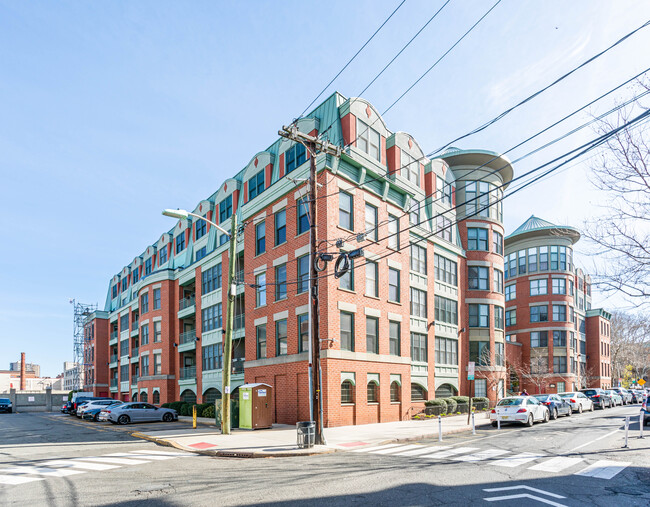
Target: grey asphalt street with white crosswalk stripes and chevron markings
<point>50,459</point>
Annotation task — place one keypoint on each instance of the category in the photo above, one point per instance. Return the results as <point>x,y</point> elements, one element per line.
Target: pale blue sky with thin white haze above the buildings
<point>112,111</point>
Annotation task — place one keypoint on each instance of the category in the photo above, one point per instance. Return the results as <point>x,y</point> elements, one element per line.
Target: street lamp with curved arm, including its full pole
<point>227,343</point>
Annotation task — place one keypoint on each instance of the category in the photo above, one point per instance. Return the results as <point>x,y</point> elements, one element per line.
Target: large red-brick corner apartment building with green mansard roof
<point>398,329</point>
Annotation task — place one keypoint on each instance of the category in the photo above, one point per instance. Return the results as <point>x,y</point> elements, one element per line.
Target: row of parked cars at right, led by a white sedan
<point>528,409</point>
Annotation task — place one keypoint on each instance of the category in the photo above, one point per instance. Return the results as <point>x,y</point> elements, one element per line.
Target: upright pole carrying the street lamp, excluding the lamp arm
<point>227,340</point>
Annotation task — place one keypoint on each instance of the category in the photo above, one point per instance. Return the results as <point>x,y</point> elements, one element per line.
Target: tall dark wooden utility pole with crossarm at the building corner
<point>313,145</point>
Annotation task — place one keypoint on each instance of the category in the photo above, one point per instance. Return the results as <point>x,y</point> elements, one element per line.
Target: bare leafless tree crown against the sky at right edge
<point>622,233</point>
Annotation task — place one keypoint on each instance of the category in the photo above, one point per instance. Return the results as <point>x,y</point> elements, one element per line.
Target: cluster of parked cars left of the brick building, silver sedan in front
<point>117,412</point>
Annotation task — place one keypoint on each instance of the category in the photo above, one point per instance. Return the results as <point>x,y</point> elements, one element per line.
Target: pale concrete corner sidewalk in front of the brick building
<point>280,441</point>
